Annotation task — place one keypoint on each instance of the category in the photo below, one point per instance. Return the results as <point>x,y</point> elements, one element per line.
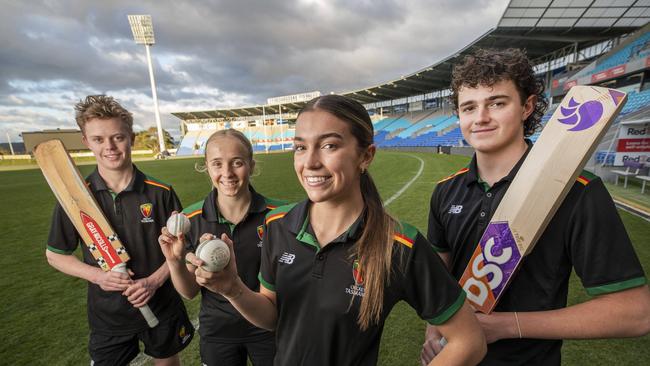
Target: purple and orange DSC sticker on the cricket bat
<point>491,266</point>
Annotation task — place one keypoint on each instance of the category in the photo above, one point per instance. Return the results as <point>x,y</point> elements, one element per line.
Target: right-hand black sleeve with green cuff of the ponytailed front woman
<point>428,286</point>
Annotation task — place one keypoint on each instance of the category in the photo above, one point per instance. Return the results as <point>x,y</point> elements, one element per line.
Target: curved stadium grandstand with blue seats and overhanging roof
<point>571,42</point>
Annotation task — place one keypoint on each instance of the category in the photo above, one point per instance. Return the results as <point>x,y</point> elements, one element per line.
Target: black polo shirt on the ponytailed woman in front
<point>319,289</point>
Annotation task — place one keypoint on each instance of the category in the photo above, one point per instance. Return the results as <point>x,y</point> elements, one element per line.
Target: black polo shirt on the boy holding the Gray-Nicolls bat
<point>137,214</point>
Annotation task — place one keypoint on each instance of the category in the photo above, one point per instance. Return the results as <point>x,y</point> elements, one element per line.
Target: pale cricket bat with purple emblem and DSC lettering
<point>541,184</point>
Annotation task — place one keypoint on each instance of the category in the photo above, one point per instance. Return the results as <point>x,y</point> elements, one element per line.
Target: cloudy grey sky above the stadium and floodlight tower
<point>215,54</point>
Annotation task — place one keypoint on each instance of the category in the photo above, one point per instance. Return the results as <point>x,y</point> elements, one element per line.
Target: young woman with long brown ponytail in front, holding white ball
<point>334,265</point>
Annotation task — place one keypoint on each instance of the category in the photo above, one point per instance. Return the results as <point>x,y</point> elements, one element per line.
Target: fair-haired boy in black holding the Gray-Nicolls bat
<point>137,207</point>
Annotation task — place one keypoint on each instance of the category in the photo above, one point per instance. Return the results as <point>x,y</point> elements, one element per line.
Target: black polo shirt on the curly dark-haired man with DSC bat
<point>586,234</point>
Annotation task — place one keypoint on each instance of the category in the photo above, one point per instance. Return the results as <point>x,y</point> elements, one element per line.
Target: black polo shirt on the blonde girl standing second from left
<point>220,321</point>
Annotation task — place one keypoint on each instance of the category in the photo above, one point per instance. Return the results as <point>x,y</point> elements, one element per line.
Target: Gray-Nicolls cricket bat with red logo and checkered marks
<point>79,204</point>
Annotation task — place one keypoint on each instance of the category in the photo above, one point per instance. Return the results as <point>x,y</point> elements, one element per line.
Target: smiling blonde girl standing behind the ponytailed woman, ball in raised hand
<point>235,209</point>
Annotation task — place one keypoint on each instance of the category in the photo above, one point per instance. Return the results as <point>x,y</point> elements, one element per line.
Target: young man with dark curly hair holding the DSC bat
<point>499,103</point>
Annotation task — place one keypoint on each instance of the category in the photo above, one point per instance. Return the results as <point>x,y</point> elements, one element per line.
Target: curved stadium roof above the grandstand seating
<point>539,26</point>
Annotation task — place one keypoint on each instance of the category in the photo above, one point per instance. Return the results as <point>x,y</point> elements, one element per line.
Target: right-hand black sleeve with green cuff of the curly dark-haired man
<point>601,251</point>
